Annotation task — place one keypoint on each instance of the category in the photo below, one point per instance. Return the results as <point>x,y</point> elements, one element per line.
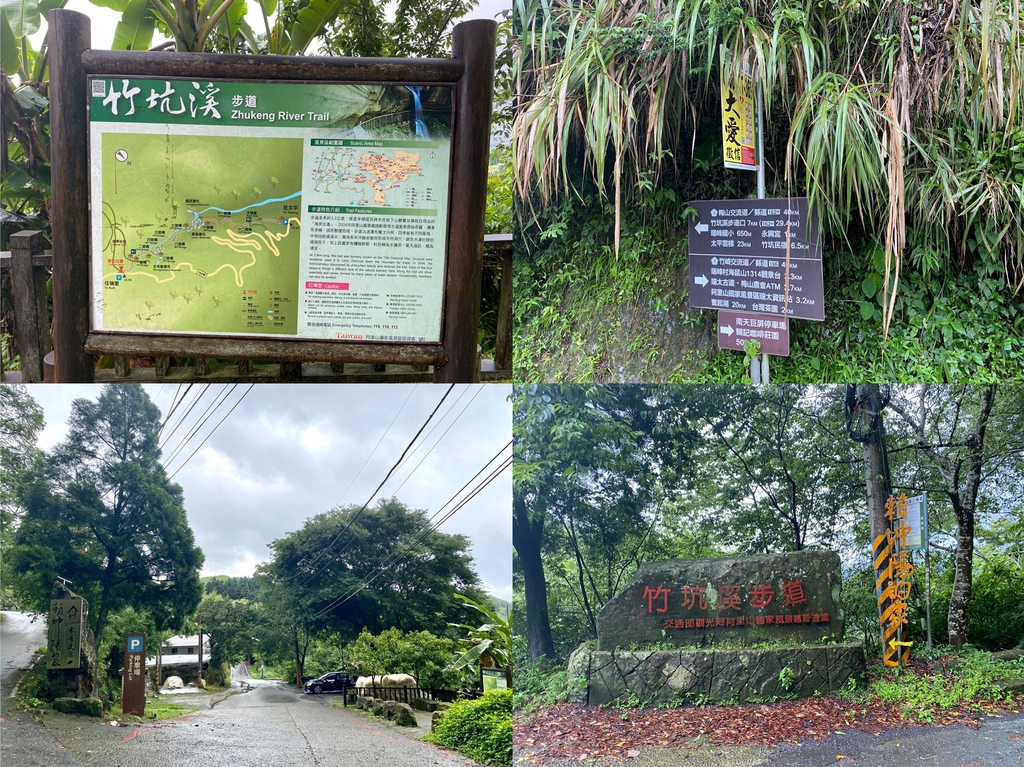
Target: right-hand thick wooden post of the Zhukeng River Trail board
<point>475,42</point>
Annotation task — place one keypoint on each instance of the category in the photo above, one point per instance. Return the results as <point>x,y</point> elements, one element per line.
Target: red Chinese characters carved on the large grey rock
<point>731,598</point>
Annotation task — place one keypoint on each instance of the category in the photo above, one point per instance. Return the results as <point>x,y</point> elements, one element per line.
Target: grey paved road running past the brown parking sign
<point>273,726</point>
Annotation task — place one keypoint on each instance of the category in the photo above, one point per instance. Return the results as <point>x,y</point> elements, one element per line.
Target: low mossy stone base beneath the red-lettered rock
<point>674,677</point>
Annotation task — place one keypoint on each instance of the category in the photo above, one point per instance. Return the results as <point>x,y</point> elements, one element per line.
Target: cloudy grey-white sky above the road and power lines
<point>287,453</point>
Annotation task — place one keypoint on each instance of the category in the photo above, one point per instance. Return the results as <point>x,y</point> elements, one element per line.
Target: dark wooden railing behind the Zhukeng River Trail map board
<point>26,316</point>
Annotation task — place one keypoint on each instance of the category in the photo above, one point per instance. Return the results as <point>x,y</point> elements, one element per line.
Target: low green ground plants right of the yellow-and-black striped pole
<point>965,679</point>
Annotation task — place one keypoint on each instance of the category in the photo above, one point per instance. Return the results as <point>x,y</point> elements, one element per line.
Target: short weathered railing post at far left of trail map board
<point>29,288</point>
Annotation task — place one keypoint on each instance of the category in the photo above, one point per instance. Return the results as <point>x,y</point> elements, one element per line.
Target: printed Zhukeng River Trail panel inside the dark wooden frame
<point>305,210</point>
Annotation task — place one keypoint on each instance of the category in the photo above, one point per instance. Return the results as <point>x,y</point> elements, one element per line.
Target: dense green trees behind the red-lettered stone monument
<point>719,471</point>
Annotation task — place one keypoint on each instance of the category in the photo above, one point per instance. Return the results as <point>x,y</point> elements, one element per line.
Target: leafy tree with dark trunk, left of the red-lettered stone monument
<point>590,463</point>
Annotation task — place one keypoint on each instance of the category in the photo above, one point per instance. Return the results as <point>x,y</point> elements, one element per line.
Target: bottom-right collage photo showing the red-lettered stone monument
<point>692,561</point>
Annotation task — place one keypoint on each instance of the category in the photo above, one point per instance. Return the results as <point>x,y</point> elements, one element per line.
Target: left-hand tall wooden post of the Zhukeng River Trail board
<point>70,37</point>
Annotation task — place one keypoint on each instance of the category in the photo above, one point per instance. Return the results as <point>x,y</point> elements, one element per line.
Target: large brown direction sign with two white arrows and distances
<point>761,257</point>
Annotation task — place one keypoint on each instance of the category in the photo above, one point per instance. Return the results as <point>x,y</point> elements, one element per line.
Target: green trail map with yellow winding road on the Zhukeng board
<point>201,234</point>
